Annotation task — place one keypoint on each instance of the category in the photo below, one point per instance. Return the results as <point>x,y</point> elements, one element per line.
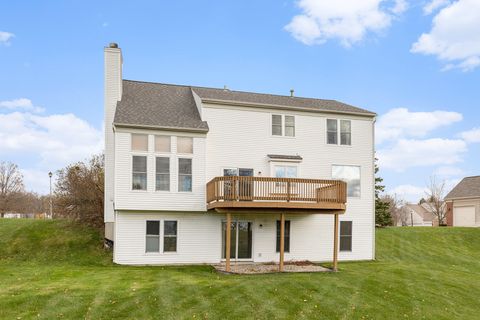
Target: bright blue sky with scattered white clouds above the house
<point>415,63</point>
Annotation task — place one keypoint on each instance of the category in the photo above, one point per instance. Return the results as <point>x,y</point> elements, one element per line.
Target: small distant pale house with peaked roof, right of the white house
<point>417,215</point>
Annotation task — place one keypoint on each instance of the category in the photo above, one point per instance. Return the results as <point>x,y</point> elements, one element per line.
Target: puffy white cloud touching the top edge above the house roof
<point>349,21</point>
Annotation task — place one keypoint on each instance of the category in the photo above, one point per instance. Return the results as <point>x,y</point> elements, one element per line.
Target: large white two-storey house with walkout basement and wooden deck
<point>184,162</point>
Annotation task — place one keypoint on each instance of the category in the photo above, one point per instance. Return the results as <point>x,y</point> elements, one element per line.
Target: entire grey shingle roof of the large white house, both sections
<point>148,104</point>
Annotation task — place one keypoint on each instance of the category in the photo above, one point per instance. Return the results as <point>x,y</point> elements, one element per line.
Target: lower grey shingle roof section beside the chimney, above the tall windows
<point>158,105</point>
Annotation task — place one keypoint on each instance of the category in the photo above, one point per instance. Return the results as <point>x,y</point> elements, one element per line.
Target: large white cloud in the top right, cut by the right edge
<point>454,37</point>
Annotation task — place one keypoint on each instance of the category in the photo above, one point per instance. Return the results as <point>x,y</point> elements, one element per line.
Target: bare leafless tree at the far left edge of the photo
<point>11,185</point>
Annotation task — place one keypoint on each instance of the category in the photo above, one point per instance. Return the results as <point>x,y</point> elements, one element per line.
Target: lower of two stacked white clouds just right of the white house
<point>407,153</point>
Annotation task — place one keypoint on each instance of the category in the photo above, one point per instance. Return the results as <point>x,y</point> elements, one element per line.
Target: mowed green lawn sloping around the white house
<point>49,270</point>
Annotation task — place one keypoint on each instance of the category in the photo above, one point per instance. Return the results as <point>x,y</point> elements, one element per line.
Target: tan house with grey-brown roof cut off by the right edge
<point>463,203</point>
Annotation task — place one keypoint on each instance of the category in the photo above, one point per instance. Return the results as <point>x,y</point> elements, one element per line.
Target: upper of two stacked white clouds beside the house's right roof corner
<point>402,123</point>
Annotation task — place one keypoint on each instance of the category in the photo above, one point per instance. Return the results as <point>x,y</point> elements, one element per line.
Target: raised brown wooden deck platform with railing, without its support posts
<point>270,194</point>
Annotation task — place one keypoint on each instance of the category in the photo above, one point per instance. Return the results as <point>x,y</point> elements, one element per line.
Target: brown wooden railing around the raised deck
<point>237,188</point>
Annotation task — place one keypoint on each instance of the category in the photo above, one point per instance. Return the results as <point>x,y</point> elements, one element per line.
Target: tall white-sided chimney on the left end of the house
<point>112,94</point>
